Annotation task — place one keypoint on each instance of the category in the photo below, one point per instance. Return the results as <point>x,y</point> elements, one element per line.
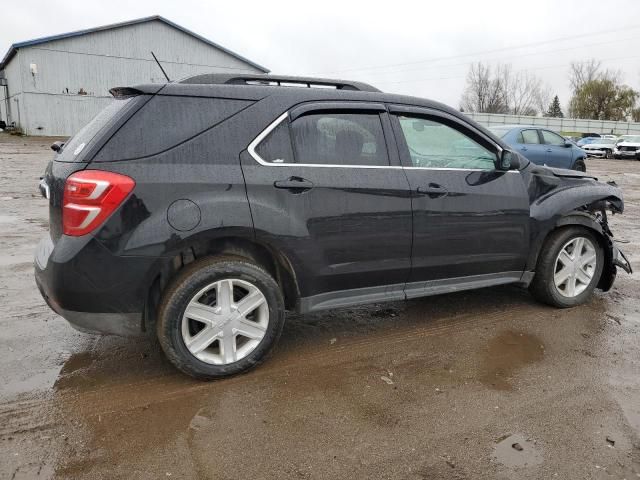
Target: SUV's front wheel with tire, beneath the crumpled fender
<point>568,269</point>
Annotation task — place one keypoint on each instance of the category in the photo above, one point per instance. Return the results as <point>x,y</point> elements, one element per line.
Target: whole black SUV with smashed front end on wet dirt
<point>203,210</point>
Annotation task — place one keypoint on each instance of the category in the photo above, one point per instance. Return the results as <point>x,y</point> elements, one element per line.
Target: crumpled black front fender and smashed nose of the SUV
<point>562,198</point>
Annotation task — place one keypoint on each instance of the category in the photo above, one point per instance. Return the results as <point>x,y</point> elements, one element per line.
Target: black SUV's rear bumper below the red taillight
<point>95,291</point>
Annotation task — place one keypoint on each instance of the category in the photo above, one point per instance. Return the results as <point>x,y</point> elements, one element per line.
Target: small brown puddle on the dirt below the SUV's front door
<point>506,354</point>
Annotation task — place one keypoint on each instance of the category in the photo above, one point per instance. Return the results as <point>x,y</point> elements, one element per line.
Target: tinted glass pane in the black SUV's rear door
<point>339,139</point>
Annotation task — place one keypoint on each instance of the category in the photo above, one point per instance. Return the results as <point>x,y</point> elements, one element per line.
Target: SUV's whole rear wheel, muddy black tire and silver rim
<point>220,317</point>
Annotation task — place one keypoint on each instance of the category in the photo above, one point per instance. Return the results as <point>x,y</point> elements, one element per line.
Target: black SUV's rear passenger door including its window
<point>324,190</point>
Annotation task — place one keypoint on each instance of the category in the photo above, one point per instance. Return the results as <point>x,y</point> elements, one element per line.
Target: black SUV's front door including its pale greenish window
<point>470,220</point>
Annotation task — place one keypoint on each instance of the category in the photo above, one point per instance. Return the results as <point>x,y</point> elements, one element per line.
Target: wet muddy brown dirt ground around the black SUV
<point>434,388</point>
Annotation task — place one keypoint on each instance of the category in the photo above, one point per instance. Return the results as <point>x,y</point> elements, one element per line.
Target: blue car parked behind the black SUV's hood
<point>542,146</point>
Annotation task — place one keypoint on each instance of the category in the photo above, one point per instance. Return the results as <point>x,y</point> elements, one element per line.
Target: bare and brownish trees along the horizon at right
<point>596,93</point>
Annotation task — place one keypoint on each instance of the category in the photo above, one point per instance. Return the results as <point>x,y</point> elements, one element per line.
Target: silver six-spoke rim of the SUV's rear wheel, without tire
<point>225,321</point>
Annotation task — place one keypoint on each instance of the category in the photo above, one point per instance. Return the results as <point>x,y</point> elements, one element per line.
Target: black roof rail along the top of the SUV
<point>277,80</point>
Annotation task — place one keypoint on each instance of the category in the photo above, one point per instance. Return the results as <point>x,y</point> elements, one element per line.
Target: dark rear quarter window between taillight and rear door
<point>166,121</point>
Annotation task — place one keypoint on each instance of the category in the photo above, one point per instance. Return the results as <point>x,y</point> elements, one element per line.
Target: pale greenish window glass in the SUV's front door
<point>433,144</point>
